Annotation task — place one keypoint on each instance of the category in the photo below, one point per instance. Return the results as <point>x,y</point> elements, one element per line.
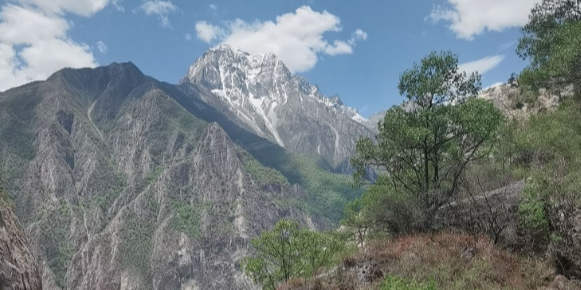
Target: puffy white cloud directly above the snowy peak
<point>296,38</point>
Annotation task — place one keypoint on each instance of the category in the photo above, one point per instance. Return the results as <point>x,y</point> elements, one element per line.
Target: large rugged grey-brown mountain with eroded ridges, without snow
<point>122,185</point>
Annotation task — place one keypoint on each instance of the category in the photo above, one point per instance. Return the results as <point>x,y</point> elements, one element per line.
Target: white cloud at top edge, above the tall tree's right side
<point>469,18</point>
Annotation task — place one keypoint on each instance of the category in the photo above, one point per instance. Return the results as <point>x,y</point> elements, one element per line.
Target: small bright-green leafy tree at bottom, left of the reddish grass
<point>288,251</point>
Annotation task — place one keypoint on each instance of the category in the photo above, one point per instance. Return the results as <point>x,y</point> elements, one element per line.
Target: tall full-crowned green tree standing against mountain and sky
<point>424,146</point>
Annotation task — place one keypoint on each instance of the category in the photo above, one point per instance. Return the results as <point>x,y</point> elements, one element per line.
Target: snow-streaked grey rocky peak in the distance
<point>260,94</point>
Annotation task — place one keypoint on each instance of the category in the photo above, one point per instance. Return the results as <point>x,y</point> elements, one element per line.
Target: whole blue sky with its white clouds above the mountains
<point>359,47</point>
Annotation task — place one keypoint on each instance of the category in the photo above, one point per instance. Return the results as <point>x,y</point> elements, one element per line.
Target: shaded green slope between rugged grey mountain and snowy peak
<point>326,193</point>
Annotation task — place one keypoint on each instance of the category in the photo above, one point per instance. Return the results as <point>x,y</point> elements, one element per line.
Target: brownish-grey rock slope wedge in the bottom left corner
<point>18,268</point>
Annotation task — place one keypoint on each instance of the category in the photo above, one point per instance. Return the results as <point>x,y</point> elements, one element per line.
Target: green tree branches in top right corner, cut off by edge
<point>552,42</point>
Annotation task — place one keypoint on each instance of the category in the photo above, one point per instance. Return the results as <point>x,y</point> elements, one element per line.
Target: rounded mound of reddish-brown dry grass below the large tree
<point>457,261</point>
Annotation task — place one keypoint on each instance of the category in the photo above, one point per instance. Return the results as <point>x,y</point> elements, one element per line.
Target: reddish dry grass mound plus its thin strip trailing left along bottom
<point>454,261</point>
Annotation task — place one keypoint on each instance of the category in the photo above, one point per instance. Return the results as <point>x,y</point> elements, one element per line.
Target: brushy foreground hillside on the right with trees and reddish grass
<point>441,154</point>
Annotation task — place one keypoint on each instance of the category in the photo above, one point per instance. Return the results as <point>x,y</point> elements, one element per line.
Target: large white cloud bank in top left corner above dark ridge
<point>34,42</point>
